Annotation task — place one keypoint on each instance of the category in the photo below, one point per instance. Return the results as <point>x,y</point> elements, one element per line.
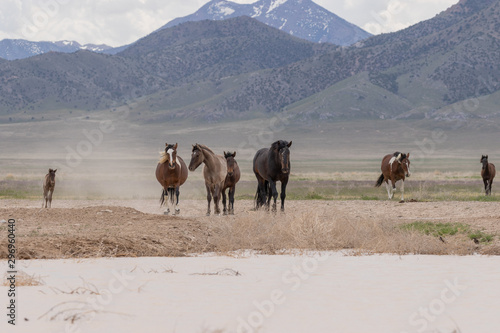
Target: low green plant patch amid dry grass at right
<point>448,229</point>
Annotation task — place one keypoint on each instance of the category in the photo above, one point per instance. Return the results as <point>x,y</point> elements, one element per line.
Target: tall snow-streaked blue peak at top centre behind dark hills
<point>301,18</point>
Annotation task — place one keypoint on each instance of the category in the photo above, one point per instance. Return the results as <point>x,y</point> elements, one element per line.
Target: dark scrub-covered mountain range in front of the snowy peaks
<point>240,68</point>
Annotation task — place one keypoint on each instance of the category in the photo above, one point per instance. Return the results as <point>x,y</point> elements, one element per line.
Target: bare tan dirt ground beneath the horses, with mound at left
<point>132,228</point>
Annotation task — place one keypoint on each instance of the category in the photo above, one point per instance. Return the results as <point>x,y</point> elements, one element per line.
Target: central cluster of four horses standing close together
<point>221,172</point>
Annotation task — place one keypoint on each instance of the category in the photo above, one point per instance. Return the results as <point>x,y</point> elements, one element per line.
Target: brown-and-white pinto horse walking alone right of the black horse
<point>394,168</point>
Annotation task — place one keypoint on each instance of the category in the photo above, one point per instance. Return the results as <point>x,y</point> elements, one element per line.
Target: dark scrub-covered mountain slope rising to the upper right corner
<point>442,64</point>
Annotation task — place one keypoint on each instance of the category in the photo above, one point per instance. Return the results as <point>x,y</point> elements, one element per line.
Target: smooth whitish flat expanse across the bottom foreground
<point>303,293</point>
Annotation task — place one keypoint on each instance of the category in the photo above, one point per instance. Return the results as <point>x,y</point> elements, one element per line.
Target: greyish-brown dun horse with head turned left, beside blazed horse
<point>214,172</point>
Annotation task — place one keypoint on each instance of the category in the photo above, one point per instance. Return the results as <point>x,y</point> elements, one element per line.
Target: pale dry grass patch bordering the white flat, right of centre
<point>312,230</point>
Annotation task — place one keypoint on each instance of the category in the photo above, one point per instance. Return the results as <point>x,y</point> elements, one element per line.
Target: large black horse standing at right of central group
<point>271,165</point>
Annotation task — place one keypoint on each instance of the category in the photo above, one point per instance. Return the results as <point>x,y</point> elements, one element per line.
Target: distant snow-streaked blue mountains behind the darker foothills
<point>301,18</point>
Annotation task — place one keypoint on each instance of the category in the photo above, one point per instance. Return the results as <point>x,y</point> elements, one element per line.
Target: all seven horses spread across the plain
<point>270,165</point>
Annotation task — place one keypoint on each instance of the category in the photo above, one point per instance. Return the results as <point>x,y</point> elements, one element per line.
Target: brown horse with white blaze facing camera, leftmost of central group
<point>171,173</point>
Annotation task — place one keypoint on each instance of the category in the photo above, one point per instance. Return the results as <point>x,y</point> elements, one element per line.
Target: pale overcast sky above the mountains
<point>119,22</point>
